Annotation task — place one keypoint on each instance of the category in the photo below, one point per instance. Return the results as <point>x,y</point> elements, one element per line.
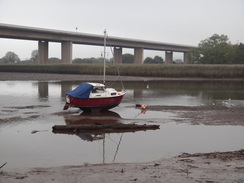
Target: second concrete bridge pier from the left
<point>66,55</point>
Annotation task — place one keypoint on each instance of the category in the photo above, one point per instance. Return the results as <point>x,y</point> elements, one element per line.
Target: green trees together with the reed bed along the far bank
<point>215,57</point>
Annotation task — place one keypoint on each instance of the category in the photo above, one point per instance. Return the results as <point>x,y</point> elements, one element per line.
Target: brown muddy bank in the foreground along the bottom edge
<point>208,167</point>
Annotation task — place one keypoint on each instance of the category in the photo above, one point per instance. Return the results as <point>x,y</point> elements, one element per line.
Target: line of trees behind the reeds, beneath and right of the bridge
<point>214,50</point>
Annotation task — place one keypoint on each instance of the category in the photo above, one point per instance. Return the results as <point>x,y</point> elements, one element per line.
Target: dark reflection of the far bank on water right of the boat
<point>215,89</point>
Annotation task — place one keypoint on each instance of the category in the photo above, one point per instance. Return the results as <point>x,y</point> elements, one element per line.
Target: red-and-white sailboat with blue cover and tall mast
<point>88,96</point>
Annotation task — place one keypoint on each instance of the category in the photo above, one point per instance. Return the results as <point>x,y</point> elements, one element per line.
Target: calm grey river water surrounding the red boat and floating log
<point>29,110</point>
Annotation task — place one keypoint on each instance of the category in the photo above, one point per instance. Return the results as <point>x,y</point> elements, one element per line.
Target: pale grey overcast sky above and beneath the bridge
<point>172,21</point>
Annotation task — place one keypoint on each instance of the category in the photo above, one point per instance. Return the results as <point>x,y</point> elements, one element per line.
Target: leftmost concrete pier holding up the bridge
<point>42,52</point>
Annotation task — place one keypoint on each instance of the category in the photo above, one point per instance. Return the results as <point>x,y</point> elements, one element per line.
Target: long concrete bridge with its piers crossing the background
<point>67,39</point>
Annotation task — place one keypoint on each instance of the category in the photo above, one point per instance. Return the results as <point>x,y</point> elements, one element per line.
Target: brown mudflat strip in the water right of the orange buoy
<point>206,115</point>
